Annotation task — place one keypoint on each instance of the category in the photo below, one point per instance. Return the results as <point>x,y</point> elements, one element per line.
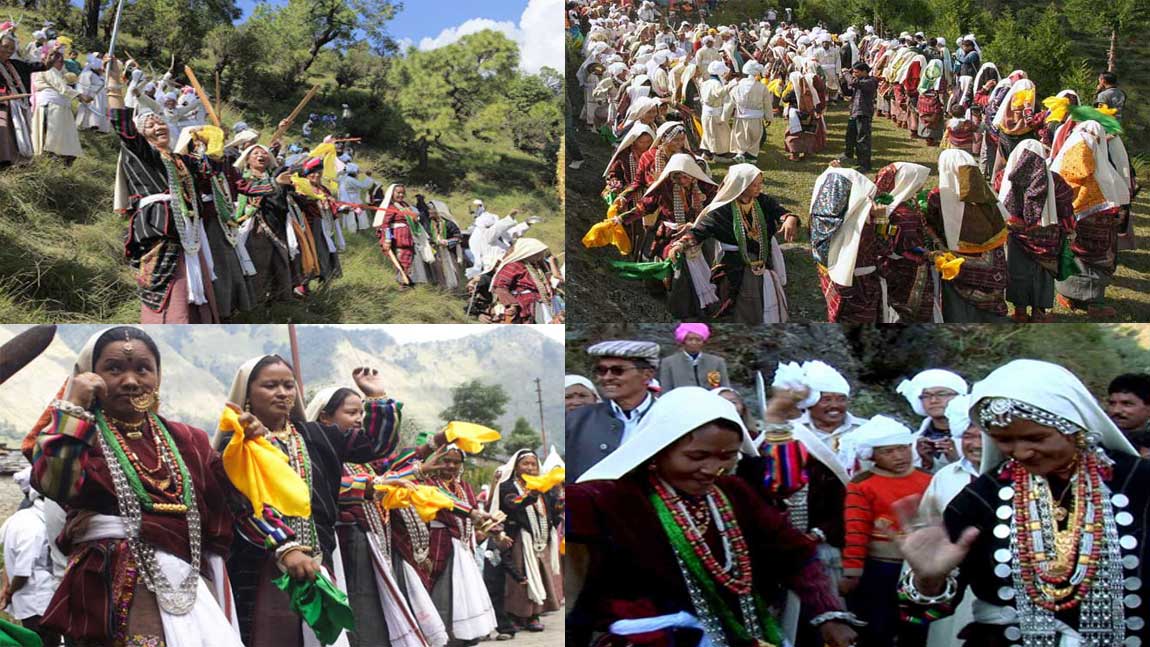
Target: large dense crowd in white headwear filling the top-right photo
<point>1033,196</point>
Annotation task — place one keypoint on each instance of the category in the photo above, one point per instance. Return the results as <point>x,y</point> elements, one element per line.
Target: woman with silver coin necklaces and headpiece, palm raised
<point>1049,538</point>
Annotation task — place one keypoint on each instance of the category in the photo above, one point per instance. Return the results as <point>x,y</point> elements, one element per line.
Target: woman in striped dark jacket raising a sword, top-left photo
<point>166,236</point>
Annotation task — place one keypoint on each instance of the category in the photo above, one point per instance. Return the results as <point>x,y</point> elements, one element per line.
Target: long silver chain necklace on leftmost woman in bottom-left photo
<point>132,502</point>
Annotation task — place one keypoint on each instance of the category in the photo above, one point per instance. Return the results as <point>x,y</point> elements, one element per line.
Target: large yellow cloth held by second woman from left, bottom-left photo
<point>263,473</point>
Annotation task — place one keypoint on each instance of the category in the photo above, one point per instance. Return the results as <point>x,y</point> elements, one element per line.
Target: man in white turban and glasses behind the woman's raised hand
<point>929,394</point>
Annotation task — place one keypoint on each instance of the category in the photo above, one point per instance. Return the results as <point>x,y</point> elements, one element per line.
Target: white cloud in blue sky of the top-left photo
<point>539,34</point>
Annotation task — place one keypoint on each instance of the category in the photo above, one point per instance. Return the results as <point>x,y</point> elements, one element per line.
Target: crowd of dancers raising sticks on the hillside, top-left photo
<point>220,224</point>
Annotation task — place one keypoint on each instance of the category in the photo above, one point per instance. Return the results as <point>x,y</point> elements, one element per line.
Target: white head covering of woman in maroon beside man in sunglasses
<point>673,417</point>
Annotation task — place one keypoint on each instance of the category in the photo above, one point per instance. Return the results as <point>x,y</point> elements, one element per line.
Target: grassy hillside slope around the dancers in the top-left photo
<point>62,245</point>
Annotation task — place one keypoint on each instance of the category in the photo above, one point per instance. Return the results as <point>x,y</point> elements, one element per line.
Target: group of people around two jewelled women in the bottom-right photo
<point>1006,513</point>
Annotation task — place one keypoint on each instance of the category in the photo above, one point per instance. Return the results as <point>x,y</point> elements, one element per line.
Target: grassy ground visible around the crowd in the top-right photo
<point>599,296</point>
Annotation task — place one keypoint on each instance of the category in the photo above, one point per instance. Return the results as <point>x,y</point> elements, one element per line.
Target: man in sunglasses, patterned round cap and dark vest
<point>623,371</point>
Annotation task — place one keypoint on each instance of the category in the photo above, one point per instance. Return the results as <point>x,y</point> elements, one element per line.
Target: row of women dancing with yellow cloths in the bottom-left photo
<point>140,530</point>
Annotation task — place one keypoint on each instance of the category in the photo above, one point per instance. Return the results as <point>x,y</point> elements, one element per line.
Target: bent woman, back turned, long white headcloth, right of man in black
<point>846,247</point>
